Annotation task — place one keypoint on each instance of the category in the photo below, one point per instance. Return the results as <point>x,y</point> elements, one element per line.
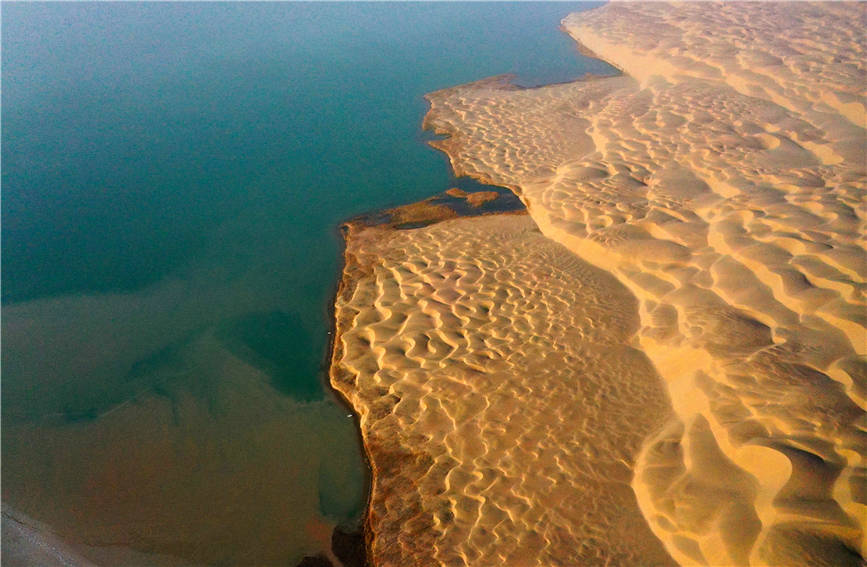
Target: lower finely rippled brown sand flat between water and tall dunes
<point>500,405</point>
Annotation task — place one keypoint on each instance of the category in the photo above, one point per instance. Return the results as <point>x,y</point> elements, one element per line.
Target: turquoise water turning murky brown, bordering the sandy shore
<point>172,178</point>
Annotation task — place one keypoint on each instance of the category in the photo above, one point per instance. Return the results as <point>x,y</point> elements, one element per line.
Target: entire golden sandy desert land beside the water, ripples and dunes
<point>663,361</point>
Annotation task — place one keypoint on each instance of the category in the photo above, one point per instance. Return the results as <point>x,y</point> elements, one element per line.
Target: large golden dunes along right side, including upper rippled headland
<point>722,181</point>
